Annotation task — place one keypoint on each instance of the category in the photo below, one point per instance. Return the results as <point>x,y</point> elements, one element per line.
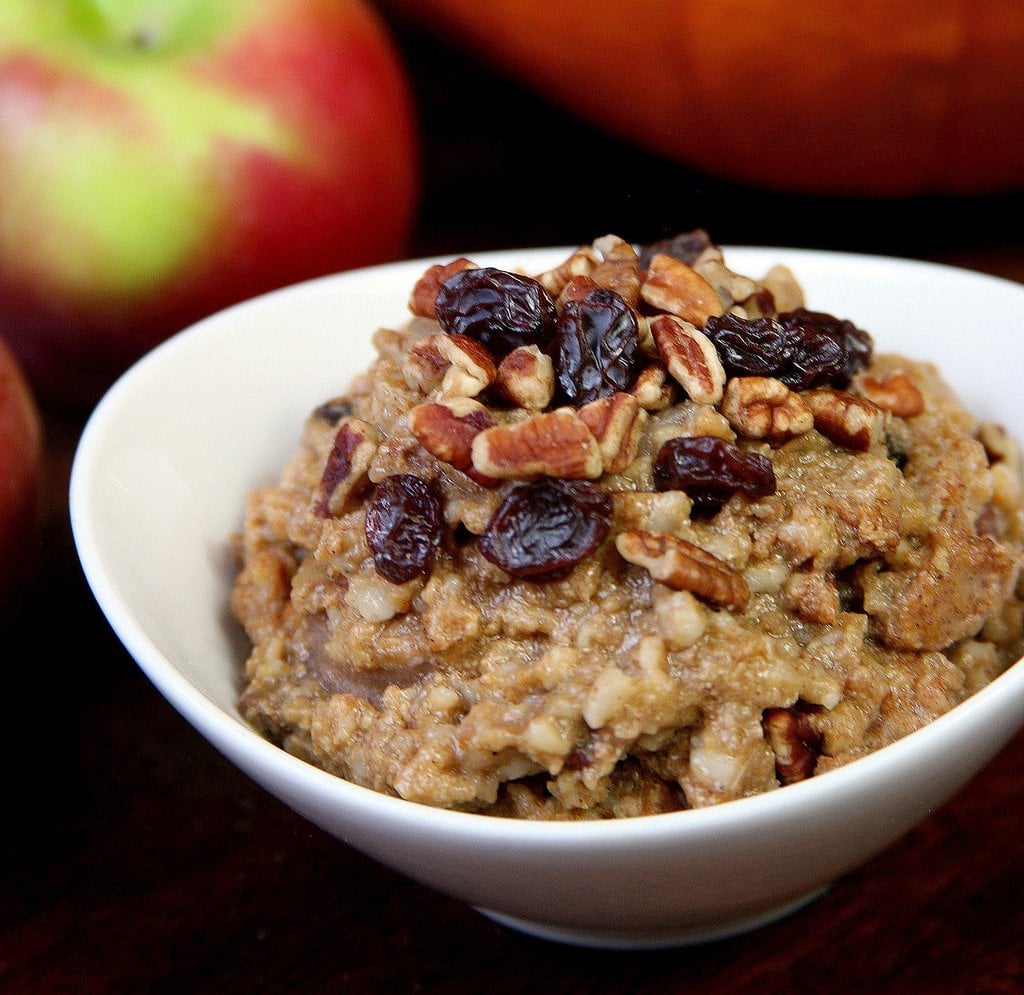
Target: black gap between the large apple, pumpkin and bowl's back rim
<point>506,166</point>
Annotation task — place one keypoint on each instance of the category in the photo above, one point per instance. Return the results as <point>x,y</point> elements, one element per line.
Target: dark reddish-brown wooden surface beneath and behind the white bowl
<point>134,858</point>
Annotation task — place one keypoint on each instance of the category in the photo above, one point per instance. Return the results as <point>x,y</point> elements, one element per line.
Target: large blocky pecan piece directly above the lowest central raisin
<point>554,445</point>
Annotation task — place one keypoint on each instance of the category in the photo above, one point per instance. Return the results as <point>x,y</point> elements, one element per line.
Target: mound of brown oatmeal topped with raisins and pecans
<point>635,535</point>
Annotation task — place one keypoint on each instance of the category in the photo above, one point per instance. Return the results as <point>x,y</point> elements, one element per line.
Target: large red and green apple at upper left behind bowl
<point>163,159</point>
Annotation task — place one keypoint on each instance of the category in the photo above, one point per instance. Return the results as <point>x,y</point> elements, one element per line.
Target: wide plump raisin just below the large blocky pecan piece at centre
<point>543,530</point>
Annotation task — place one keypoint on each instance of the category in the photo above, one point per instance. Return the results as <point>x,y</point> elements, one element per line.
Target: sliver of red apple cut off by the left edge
<point>21,481</point>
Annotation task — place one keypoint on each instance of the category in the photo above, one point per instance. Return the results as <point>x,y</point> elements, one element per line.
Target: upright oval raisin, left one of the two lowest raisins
<point>405,526</point>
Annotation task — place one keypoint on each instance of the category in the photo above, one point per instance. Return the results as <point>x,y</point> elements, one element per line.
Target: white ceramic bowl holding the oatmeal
<point>158,488</point>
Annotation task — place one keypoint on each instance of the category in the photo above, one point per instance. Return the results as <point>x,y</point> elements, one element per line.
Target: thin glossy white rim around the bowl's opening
<point>234,737</point>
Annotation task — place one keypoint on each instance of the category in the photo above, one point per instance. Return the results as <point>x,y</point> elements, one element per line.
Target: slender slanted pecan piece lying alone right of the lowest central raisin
<point>684,567</point>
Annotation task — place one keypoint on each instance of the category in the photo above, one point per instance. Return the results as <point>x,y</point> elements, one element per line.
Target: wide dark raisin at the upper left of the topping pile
<point>501,311</point>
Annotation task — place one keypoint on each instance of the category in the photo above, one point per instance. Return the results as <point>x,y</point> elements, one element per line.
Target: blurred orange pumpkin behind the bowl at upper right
<point>866,98</point>
